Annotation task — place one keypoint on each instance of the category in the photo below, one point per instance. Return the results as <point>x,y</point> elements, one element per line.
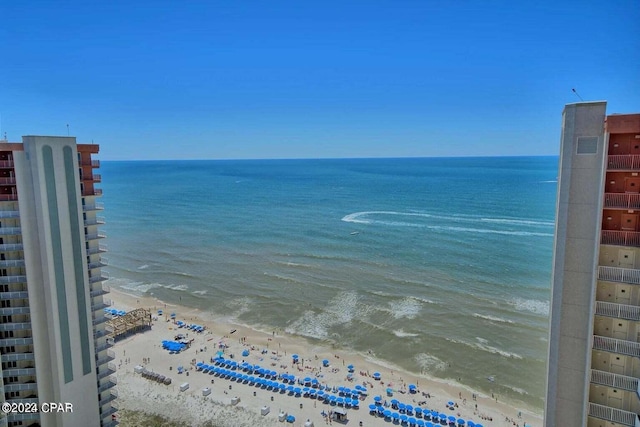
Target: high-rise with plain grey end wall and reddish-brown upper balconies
<point>594,341</point>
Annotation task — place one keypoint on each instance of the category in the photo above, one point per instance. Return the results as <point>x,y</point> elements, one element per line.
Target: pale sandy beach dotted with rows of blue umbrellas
<point>237,403</point>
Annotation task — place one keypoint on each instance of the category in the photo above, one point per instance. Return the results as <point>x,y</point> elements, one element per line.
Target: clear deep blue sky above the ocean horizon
<point>211,80</point>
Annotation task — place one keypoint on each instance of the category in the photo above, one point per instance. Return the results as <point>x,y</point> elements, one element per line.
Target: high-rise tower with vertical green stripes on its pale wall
<point>53,343</point>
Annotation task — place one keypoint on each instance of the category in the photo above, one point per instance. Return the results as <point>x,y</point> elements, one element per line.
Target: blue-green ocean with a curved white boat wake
<point>434,265</point>
